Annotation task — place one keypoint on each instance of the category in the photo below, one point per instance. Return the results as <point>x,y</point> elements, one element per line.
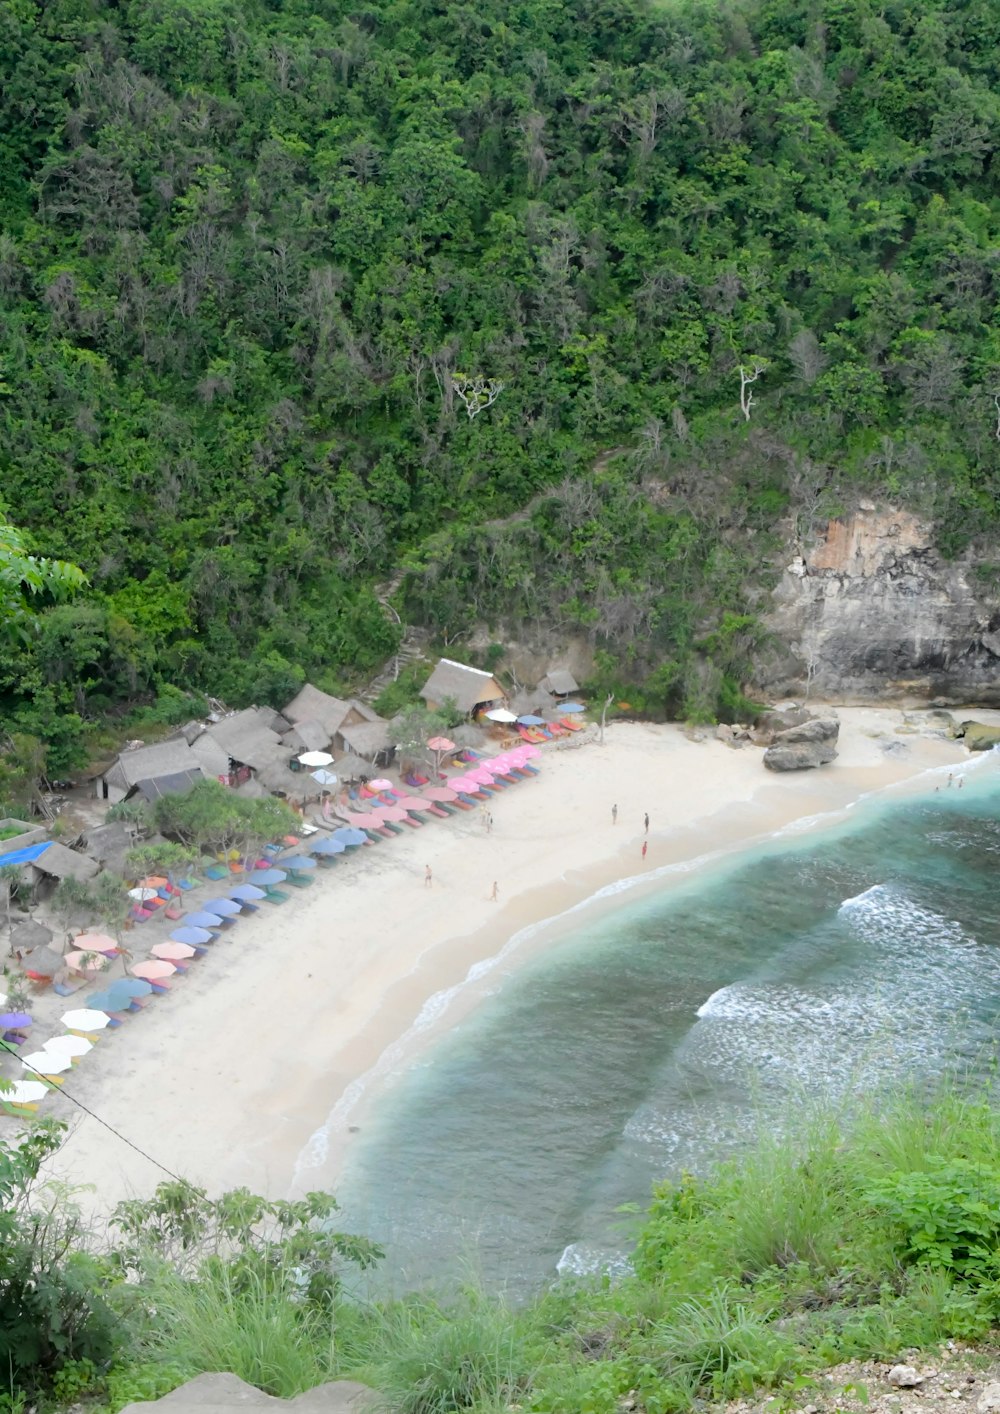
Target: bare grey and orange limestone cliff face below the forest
<point>876,613</point>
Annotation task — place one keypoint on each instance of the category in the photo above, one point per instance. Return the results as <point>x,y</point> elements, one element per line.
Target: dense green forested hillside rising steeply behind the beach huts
<point>250,250</point>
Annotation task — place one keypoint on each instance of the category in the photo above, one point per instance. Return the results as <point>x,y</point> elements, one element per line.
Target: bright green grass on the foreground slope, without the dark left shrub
<point>849,1242</point>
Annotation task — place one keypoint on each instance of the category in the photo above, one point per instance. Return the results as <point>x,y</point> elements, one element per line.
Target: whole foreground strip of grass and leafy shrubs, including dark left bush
<point>859,1239</point>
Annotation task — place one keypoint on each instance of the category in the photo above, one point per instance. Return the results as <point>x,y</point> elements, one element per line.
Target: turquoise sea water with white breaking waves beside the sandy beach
<point>660,1039</point>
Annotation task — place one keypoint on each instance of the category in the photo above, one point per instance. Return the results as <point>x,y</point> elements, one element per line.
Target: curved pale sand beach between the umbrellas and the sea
<point>230,1077</point>
